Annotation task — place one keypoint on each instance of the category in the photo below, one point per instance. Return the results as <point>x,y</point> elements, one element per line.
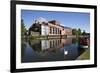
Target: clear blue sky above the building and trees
<point>69,19</point>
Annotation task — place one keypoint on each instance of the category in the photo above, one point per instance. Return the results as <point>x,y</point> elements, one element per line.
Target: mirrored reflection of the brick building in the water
<point>42,45</point>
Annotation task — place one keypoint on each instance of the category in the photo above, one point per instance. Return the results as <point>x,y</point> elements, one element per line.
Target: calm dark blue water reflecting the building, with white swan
<point>52,50</point>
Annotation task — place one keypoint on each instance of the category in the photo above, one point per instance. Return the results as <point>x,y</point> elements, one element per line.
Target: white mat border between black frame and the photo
<point>20,65</point>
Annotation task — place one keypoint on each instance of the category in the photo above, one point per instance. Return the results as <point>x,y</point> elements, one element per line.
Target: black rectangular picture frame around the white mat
<point>13,35</point>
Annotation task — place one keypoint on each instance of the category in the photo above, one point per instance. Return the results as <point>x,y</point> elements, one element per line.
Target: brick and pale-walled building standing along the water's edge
<point>43,27</point>
